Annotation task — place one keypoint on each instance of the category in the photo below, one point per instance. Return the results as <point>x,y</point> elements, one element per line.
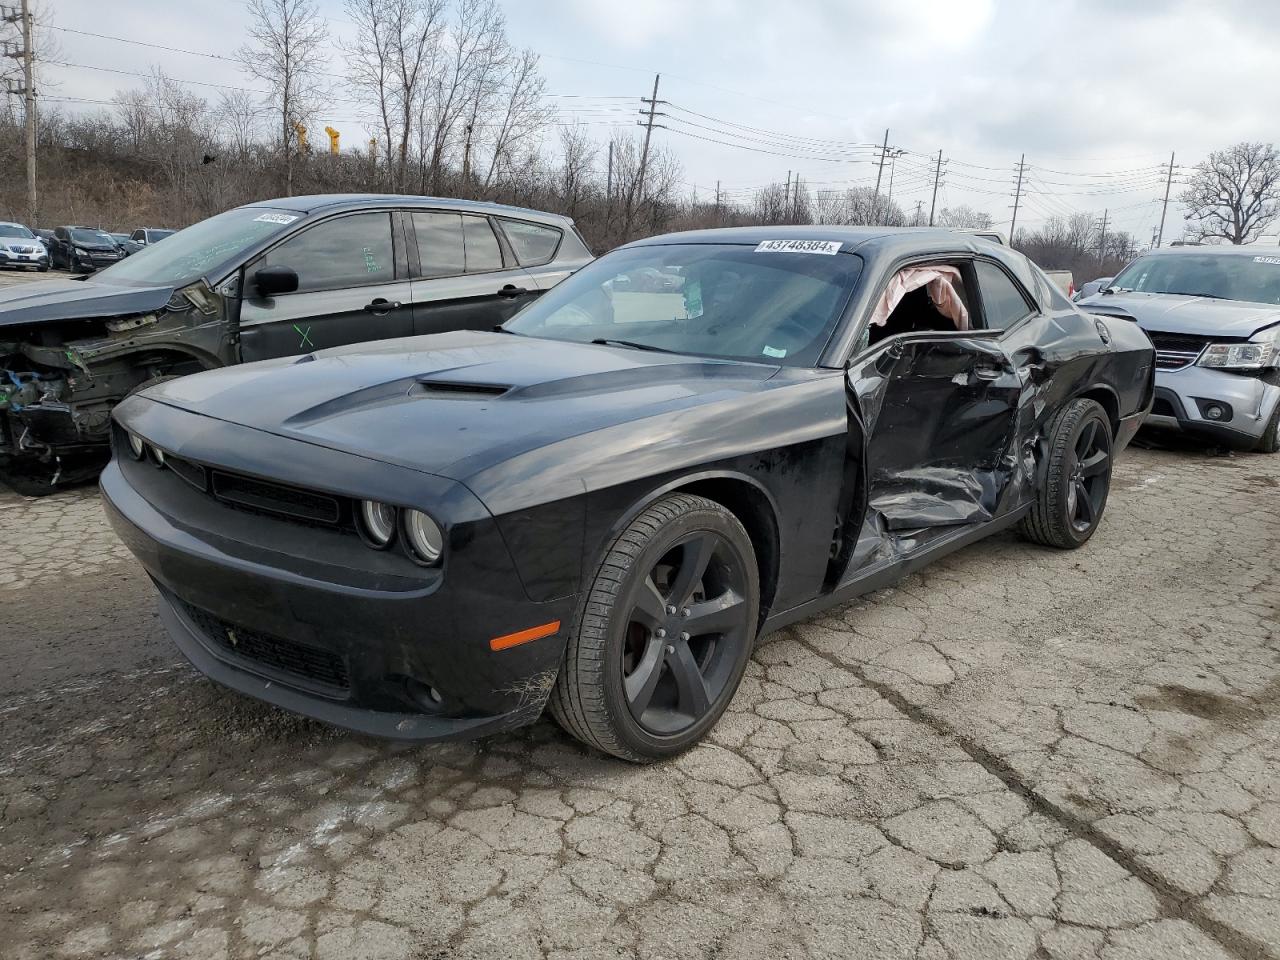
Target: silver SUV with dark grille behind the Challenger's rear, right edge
<point>1214,317</point>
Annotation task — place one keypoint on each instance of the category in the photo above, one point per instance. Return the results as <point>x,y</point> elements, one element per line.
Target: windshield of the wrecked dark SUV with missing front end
<point>190,254</point>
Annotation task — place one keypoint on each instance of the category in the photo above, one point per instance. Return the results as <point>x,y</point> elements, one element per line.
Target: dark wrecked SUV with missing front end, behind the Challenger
<point>271,280</point>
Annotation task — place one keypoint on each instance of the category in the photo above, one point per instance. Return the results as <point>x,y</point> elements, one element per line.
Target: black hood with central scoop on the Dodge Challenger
<point>456,404</point>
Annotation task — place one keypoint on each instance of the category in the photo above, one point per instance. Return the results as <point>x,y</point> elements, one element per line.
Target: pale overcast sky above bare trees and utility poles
<point>1096,93</point>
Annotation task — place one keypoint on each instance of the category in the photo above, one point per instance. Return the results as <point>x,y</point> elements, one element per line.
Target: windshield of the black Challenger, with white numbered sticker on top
<point>740,303</point>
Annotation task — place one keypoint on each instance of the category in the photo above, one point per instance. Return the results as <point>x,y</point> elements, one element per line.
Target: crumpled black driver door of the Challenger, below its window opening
<point>939,418</point>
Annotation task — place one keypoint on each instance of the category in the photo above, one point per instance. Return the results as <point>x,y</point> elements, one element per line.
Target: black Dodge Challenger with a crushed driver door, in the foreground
<point>601,505</point>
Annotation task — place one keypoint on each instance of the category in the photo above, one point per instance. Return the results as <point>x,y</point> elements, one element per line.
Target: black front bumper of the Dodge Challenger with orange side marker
<point>314,621</point>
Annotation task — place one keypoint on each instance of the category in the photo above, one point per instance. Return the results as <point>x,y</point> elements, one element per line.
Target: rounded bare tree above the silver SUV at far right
<point>1236,193</point>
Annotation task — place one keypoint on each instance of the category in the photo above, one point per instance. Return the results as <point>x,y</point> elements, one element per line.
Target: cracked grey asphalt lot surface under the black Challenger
<point>1018,753</point>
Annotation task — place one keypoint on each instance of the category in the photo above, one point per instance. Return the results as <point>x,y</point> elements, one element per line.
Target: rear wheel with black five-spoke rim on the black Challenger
<point>1071,505</point>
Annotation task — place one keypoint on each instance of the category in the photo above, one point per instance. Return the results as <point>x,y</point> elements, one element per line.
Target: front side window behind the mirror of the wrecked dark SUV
<point>350,252</point>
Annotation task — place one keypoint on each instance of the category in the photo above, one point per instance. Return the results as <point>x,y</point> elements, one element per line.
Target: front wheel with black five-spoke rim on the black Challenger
<point>634,684</point>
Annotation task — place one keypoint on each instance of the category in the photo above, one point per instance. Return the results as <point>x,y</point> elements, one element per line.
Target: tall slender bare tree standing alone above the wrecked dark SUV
<point>289,36</point>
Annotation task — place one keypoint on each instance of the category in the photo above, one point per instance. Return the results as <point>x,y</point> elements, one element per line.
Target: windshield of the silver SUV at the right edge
<point>1222,276</point>
